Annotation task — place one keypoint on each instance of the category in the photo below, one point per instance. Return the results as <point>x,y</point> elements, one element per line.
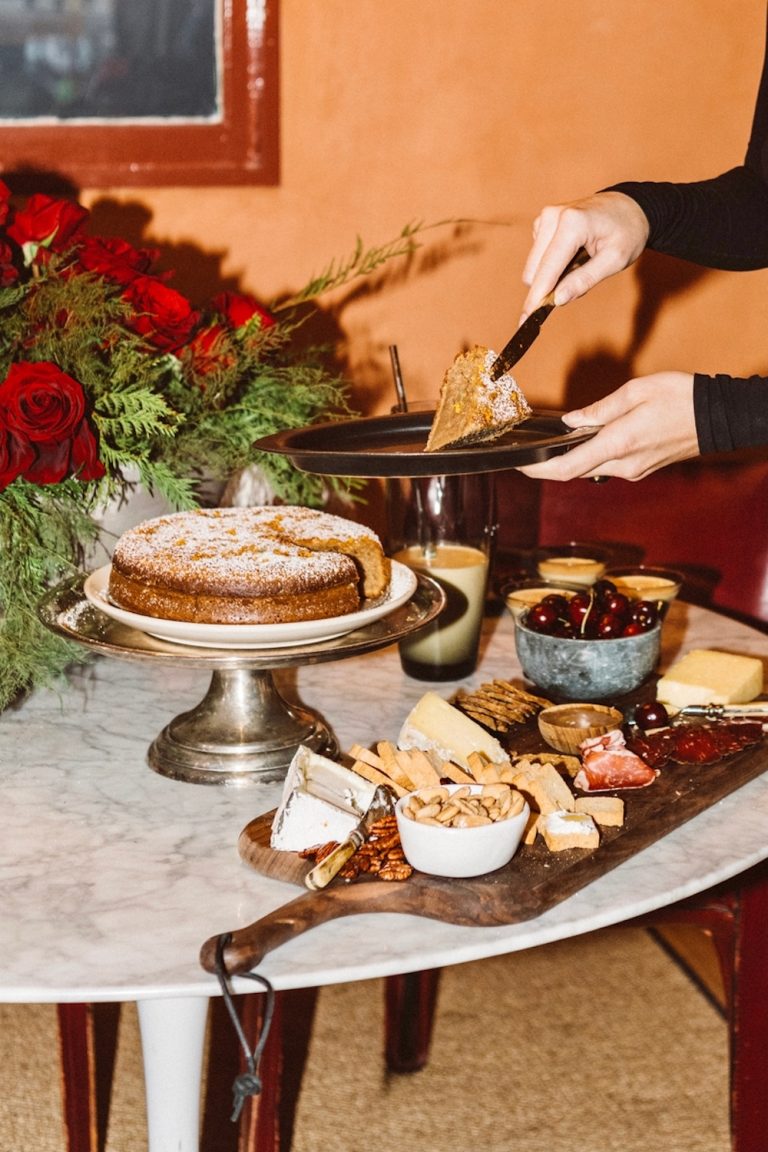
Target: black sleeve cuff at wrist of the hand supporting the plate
<point>731,413</point>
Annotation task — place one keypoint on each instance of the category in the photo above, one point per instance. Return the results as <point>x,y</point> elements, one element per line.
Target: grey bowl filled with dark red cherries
<point>591,646</point>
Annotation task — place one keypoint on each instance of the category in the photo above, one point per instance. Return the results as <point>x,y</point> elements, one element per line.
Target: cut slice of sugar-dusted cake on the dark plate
<point>473,408</point>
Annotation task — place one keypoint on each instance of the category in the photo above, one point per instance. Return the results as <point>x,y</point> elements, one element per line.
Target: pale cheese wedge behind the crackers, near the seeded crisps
<point>435,725</point>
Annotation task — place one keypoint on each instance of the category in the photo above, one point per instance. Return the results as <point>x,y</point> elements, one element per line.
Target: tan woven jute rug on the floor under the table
<point>602,1044</point>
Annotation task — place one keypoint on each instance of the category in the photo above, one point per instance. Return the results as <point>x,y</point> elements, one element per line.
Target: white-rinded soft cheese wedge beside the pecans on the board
<point>322,801</point>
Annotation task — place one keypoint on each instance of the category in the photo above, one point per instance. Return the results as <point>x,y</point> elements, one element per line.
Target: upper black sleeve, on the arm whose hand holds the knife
<point>720,223</point>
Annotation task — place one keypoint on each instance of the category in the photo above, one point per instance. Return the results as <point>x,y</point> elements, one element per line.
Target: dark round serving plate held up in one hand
<point>396,446</point>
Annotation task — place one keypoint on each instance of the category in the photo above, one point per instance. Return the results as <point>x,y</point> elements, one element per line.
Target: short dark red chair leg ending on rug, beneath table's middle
<point>410,1004</point>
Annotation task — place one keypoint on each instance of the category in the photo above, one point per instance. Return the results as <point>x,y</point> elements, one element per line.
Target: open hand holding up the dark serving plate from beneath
<point>644,426</point>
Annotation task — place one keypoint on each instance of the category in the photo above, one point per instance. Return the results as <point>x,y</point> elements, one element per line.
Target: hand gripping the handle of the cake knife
<point>612,228</point>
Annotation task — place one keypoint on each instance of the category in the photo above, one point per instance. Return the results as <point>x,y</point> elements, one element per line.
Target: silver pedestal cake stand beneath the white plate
<point>244,731</point>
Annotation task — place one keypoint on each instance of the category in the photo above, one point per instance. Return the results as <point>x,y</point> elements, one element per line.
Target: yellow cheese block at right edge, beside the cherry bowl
<point>706,677</point>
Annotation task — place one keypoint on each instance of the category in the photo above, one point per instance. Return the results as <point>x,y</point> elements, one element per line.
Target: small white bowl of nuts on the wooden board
<point>461,830</point>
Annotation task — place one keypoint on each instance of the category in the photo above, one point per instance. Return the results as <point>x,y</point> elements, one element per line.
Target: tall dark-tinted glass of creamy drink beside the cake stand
<point>445,527</point>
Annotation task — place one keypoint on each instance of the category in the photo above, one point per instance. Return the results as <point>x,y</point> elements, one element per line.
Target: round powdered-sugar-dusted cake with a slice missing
<point>248,566</point>
